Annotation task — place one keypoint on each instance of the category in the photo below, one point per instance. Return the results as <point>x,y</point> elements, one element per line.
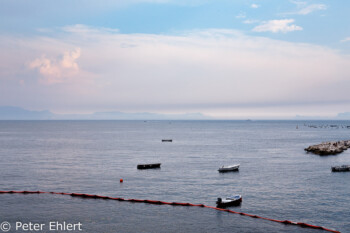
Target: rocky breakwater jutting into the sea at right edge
<point>329,148</point>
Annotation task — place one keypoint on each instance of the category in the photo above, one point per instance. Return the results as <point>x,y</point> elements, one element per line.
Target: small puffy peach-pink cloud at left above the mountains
<point>57,70</point>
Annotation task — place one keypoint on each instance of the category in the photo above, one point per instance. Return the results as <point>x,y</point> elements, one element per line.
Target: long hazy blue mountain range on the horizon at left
<point>17,113</point>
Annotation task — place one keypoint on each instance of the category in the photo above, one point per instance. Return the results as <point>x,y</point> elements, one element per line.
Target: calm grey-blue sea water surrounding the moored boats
<point>277,179</point>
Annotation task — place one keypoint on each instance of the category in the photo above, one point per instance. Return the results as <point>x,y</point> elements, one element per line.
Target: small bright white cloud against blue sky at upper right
<point>275,26</point>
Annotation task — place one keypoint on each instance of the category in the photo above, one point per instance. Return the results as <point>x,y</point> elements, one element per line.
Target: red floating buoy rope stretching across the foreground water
<point>83,195</point>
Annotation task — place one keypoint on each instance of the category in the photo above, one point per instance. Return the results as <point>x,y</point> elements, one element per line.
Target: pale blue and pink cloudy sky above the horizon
<point>228,59</point>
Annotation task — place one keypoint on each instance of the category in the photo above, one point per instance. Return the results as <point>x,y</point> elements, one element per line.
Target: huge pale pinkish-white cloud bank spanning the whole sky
<point>209,71</point>
